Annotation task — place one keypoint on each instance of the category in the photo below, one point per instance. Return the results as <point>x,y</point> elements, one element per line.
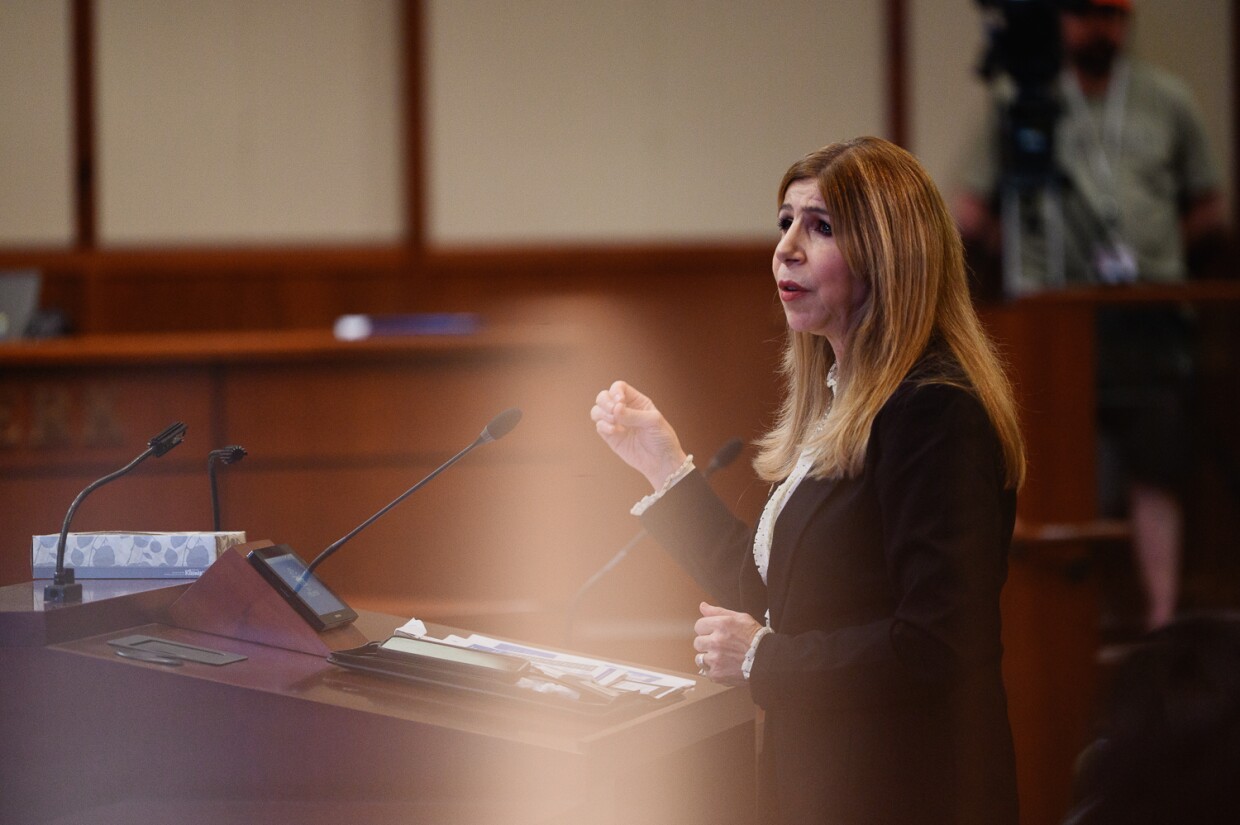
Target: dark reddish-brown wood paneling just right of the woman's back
<point>1050,616</point>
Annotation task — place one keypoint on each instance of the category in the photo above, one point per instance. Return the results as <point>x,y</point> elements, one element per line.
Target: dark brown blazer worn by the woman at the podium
<point>882,687</point>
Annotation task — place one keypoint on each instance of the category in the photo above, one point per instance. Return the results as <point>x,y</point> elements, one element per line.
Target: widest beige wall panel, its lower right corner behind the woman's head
<point>556,121</point>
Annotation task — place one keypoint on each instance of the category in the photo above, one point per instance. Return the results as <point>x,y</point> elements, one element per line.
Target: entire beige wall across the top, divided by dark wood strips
<point>547,122</point>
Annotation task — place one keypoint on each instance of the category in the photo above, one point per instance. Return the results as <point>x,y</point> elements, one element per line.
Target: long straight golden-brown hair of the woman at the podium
<point>896,234</point>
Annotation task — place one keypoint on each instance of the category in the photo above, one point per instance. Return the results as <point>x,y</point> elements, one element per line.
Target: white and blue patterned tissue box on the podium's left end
<point>133,555</point>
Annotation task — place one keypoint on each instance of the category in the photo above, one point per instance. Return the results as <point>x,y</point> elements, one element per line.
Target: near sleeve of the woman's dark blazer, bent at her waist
<point>947,525</point>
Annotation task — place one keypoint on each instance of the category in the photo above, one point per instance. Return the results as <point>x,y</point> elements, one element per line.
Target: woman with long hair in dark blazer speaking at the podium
<point>864,610</point>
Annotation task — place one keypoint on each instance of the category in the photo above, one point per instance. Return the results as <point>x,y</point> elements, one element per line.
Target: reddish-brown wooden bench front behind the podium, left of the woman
<point>337,431</point>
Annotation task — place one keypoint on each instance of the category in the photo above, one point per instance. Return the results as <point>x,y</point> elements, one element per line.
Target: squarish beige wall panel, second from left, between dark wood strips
<point>249,121</point>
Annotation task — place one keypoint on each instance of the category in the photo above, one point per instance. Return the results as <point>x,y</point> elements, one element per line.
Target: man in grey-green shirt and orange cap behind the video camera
<point>1129,195</point>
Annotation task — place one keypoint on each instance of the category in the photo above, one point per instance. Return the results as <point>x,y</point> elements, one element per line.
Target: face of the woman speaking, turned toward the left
<point>819,292</point>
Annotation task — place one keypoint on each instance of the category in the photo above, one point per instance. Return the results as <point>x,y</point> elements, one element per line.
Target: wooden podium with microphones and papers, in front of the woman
<point>287,738</point>
